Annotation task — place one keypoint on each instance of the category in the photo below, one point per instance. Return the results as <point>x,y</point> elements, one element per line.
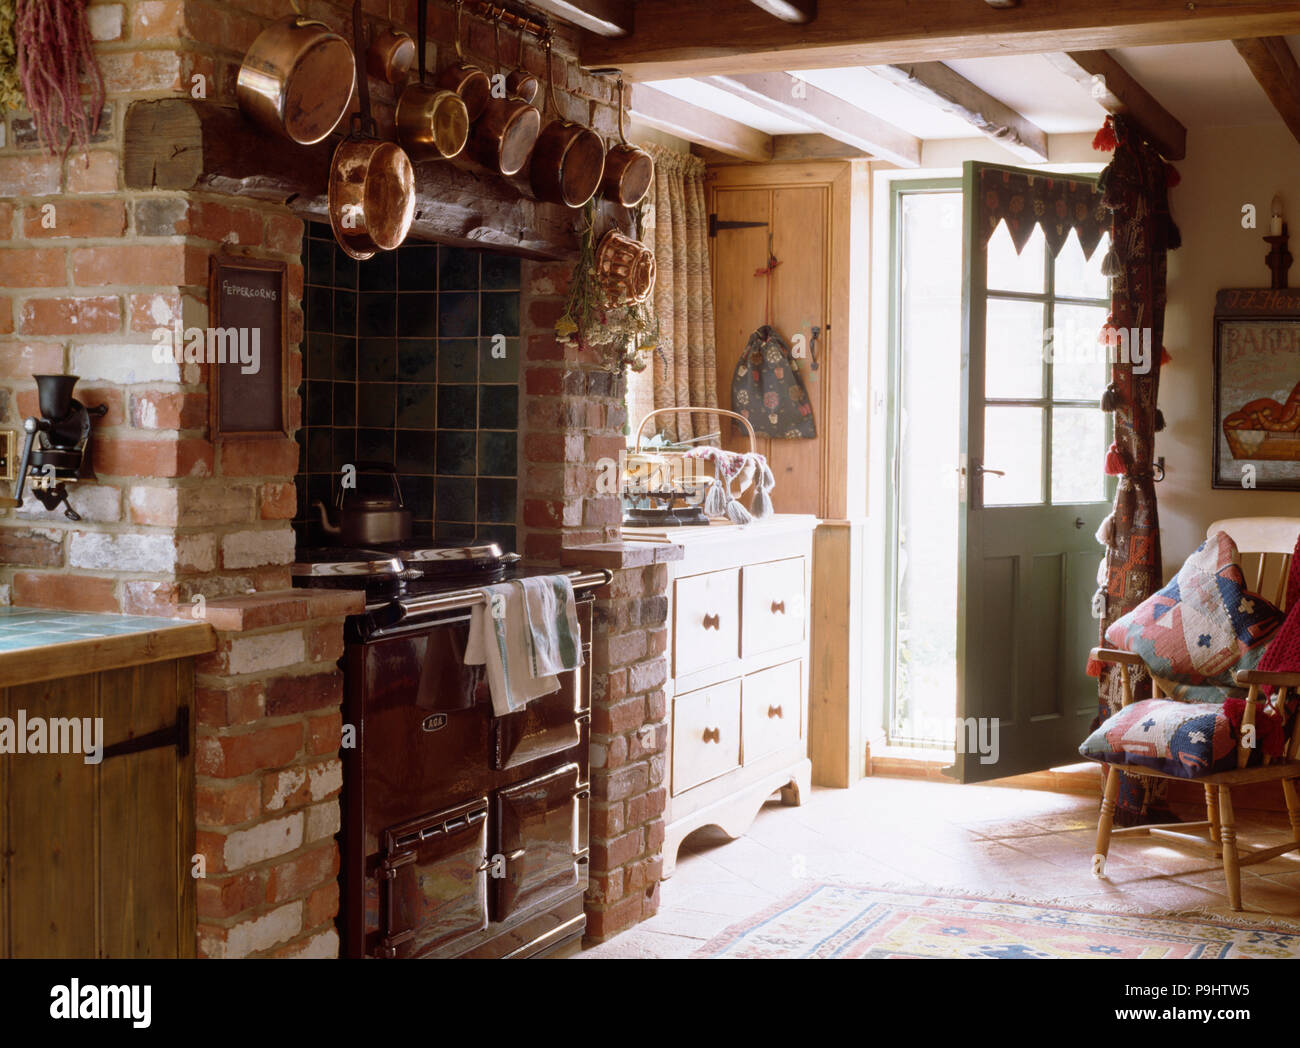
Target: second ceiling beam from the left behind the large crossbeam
<point>820,111</point>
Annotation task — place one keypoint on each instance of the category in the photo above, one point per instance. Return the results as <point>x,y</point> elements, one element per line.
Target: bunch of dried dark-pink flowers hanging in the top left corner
<point>55,53</point>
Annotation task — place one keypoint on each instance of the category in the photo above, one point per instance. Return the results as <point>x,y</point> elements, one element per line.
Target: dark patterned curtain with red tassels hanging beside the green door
<point>1136,190</point>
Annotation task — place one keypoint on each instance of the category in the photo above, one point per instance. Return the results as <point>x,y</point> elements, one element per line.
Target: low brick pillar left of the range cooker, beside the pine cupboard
<point>268,774</point>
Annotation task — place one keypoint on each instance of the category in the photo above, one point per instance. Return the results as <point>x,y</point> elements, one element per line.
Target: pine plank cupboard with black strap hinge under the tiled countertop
<point>96,860</point>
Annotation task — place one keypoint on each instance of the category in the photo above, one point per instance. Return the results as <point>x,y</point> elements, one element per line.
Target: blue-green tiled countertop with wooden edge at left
<point>42,644</point>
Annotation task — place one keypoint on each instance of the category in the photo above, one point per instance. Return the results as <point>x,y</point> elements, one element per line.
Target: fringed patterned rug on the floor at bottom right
<point>848,921</point>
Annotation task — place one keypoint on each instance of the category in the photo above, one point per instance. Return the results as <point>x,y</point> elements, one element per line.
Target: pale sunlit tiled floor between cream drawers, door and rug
<point>902,832</point>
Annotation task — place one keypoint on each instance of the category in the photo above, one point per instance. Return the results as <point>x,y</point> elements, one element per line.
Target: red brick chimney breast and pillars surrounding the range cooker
<point>172,516</point>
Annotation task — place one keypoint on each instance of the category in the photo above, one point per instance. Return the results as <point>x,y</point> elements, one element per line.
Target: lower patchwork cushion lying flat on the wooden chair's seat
<point>1185,739</point>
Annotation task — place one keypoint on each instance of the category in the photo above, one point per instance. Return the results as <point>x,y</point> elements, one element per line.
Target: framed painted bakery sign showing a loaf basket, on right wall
<point>1258,389</point>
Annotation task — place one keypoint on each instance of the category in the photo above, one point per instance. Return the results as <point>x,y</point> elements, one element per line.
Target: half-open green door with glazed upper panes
<point>1033,495</point>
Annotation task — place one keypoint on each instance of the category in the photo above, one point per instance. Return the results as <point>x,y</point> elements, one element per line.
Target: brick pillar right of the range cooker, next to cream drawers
<point>573,426</point>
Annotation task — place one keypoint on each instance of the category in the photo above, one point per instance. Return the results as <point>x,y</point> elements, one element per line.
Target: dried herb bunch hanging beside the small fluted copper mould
<point>625,336</point>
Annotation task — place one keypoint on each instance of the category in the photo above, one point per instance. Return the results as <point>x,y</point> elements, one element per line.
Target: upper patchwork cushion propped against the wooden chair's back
<point>1202,629</point>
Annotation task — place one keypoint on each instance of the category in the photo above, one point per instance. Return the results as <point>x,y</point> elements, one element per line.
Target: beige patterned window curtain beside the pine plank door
<point>684,373</point>
